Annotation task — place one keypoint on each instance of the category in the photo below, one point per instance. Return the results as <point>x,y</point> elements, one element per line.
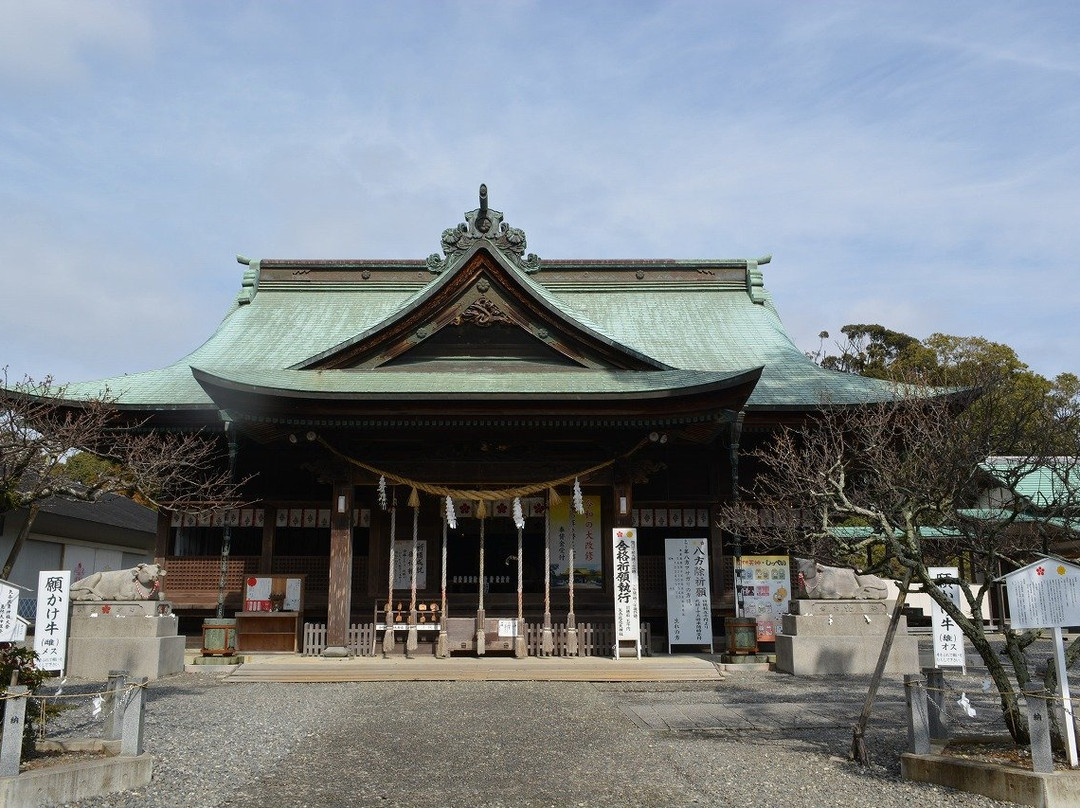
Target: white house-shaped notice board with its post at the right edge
<point>1046,595</point>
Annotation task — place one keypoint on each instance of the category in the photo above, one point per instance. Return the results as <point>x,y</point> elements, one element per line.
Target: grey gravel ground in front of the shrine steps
<point>418,745</point>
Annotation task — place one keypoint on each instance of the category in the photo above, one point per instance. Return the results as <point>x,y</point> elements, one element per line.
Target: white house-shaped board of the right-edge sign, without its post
<point>1044,596</point>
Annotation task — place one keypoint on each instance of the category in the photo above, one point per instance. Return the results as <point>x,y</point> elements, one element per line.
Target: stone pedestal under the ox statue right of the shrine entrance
<point>843,638</point>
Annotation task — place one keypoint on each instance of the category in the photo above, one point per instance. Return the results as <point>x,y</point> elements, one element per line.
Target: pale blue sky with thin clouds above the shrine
<point>910,164</point>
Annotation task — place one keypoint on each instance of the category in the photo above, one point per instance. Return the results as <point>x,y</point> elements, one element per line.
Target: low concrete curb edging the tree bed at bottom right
<point>1005,784</point>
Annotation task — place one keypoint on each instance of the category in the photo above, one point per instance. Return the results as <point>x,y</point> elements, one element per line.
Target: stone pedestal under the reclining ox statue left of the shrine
<point>139,637</point>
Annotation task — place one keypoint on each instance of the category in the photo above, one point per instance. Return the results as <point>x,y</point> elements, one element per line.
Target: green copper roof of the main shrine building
<point>705,319</point>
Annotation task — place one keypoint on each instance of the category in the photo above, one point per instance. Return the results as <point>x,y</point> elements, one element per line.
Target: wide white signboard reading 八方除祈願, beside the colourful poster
<point>690,609</point>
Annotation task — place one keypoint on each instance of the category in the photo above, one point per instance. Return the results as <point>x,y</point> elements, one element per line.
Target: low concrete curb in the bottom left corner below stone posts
<point>69,783</point>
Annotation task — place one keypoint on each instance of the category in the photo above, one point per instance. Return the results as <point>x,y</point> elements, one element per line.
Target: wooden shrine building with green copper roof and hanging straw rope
<point>499,413</point>
